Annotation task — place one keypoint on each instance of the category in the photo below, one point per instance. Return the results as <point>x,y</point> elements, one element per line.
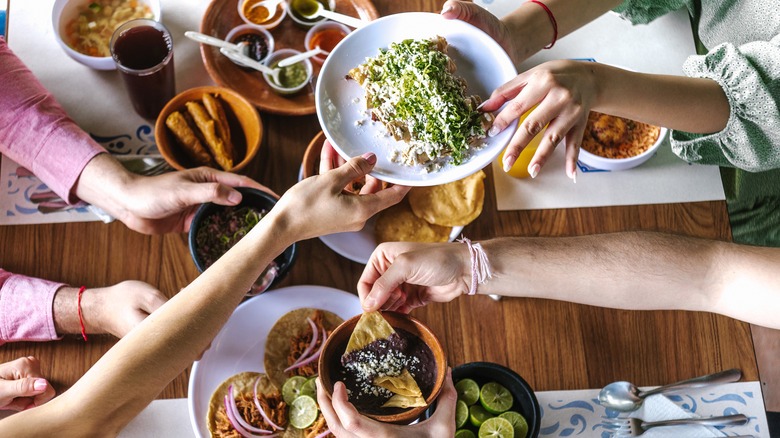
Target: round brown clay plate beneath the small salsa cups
<point>222,16</point>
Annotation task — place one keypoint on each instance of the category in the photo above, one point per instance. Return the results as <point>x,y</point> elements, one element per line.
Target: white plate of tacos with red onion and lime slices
<point>249,357</point>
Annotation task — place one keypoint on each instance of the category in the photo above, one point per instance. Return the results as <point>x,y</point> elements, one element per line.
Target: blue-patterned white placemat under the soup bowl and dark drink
<point>96,100</point>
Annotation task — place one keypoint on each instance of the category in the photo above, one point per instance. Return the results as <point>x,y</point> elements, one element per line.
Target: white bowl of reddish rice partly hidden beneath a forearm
<point>617,143</point>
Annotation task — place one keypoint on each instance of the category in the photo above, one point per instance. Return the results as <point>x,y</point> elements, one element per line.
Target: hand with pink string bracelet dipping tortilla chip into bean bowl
<point>401,276</point>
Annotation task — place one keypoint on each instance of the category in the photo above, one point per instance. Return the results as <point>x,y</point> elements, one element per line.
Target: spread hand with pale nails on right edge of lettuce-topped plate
<point>563,93</point>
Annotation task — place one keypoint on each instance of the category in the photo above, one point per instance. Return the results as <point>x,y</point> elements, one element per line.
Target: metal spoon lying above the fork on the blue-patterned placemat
<point>626,397</point>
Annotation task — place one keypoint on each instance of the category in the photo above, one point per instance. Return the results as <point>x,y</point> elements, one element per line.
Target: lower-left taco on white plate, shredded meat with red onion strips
<point>223,423</point>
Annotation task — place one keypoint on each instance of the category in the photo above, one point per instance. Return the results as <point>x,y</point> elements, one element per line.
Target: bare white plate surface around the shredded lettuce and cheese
<point>340,103</point>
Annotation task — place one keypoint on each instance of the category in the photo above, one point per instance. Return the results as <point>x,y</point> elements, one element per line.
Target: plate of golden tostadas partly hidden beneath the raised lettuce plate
<point>429,214</point>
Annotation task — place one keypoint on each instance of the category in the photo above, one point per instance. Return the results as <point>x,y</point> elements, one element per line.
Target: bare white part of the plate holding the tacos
<point>240,345</point>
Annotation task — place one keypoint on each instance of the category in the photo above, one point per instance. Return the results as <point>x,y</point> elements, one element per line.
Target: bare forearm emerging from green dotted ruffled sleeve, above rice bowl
<point>677,102</point>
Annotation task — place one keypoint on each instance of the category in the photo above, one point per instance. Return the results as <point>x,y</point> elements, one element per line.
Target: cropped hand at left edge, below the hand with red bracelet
<point>22,385</point>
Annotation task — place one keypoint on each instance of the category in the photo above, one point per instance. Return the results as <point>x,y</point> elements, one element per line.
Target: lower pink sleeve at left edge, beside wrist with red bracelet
<point>26,308</point>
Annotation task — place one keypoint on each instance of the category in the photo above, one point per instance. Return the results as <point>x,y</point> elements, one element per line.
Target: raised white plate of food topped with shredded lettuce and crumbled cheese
<point>412,88</point>
